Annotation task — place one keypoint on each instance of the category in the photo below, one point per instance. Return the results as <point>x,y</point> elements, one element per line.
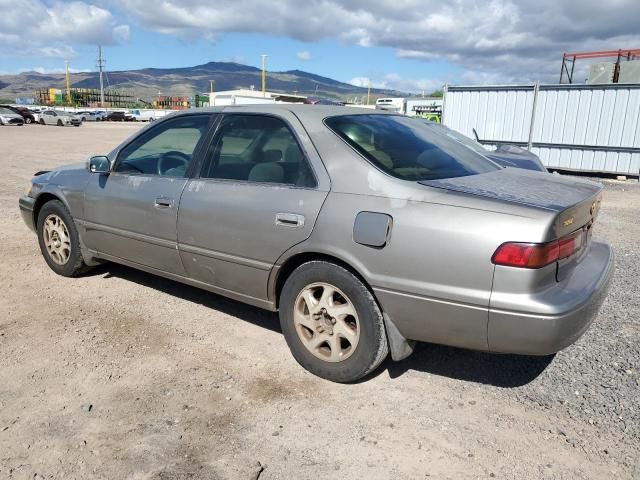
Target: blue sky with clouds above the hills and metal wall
<point>408,45</point>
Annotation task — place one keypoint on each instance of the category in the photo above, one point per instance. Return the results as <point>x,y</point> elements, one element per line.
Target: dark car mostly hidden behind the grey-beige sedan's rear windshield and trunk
<point>504,154</point>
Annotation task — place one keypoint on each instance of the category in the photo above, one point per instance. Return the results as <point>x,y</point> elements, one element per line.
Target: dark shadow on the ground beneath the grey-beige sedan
<point>507,371</point>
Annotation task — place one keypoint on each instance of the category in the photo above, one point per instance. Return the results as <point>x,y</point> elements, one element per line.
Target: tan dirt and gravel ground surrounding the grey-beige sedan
<point>120,374</point>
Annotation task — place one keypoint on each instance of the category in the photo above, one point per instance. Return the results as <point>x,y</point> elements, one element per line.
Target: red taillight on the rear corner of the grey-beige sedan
<point>537,255</point>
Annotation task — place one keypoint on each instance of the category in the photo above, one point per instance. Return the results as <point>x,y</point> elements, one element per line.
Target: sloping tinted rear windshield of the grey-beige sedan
<point>407,148</point>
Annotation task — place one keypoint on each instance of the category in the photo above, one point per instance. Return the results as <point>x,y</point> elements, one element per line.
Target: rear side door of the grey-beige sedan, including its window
<point>259,192</point>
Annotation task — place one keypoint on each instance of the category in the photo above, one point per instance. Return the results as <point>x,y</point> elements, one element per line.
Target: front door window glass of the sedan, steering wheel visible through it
<point>165,150</point>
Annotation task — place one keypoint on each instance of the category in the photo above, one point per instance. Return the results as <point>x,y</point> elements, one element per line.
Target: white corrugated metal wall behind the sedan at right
<point>573,127</point>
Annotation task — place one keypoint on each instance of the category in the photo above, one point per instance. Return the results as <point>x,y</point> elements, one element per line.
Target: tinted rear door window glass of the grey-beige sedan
<point>257,148</point>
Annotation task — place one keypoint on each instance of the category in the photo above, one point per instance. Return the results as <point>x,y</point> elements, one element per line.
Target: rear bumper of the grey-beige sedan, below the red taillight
<point>514,330</point>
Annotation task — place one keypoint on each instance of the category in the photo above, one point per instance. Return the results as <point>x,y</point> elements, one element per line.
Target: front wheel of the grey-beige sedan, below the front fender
<point>54,211</point>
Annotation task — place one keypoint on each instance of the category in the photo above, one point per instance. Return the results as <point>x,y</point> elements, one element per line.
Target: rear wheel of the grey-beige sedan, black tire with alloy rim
<point>349,294</point>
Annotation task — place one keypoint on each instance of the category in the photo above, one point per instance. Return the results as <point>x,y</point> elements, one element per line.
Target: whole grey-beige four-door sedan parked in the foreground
<point>366,230</point>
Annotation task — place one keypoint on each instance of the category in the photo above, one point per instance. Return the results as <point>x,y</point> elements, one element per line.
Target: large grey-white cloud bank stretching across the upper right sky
<point>506,40</point>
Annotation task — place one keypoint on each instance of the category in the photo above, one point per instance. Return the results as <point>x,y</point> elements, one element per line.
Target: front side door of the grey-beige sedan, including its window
<point>131,213</point>
